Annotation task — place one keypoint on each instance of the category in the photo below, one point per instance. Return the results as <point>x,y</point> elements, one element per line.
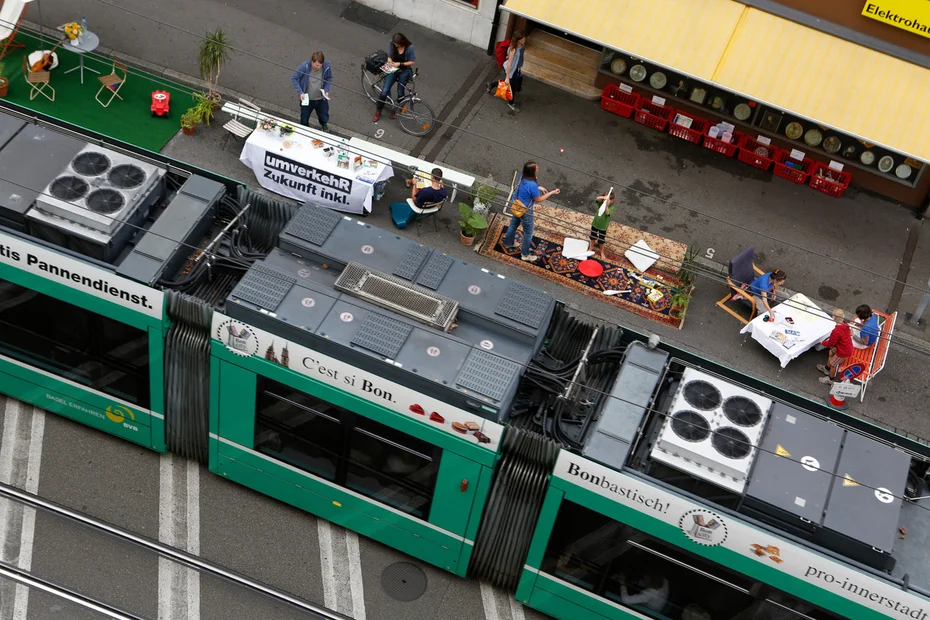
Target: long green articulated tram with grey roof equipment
<point>471,421</point>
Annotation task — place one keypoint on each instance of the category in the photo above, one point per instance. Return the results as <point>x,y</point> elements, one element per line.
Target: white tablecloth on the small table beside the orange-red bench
<point>811,325</point>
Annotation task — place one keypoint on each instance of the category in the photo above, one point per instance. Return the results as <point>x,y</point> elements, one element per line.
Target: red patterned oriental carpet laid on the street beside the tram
<point>555,267</point>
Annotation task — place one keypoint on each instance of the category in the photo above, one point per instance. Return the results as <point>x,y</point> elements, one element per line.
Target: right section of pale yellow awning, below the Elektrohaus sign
<point>851,88</point>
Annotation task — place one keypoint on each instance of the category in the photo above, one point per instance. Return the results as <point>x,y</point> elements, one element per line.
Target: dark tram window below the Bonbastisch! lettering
<point>629,567</point>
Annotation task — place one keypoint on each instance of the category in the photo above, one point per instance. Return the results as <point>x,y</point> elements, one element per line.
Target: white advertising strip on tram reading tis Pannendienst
<point>80,276</point>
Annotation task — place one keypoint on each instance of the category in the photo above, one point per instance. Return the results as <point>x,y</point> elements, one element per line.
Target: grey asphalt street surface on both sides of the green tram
<point>694,197</point>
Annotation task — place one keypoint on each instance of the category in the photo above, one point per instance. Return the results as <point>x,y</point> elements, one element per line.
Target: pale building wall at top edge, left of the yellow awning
<point>453,18</point>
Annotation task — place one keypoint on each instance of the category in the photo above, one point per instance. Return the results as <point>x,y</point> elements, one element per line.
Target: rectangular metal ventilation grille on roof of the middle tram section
<point>398,295</point>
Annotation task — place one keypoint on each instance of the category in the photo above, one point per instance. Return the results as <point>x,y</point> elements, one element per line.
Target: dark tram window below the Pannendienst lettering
<point>74,343</point>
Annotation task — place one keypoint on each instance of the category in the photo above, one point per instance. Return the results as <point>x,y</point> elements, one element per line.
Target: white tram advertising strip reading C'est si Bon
<point>249,341</point>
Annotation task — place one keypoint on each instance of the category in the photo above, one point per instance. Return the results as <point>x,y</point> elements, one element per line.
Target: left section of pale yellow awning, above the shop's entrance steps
<point>688,35</point>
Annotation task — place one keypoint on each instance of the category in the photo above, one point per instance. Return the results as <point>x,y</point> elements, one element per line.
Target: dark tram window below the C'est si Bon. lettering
<point>331,442</point>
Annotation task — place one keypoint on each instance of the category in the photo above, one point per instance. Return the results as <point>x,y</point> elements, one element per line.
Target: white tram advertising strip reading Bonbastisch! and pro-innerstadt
<point>707,527</point>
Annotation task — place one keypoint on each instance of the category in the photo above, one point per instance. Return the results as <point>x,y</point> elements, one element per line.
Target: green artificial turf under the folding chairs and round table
<point>129,119</point>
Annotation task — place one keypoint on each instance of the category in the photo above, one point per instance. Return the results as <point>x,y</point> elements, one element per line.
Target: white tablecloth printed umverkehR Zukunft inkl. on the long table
<point>292,167</point>
